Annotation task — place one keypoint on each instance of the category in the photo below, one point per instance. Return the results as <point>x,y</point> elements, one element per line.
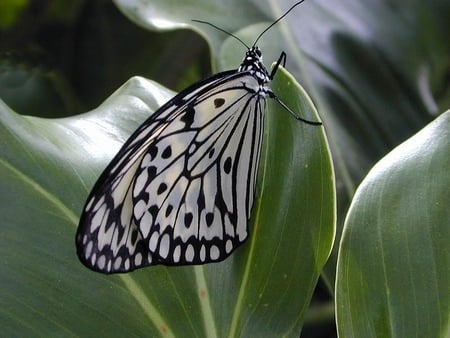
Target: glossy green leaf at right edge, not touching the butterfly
<point>393,268</point>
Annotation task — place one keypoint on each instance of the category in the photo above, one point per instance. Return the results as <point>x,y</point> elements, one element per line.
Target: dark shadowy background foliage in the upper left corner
<point>69,56</point>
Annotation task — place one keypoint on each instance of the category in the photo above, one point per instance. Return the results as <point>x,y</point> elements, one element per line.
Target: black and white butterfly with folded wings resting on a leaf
<point>181,189</point>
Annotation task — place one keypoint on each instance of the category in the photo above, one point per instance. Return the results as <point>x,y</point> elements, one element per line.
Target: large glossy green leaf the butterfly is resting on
<point>48,167</point>
